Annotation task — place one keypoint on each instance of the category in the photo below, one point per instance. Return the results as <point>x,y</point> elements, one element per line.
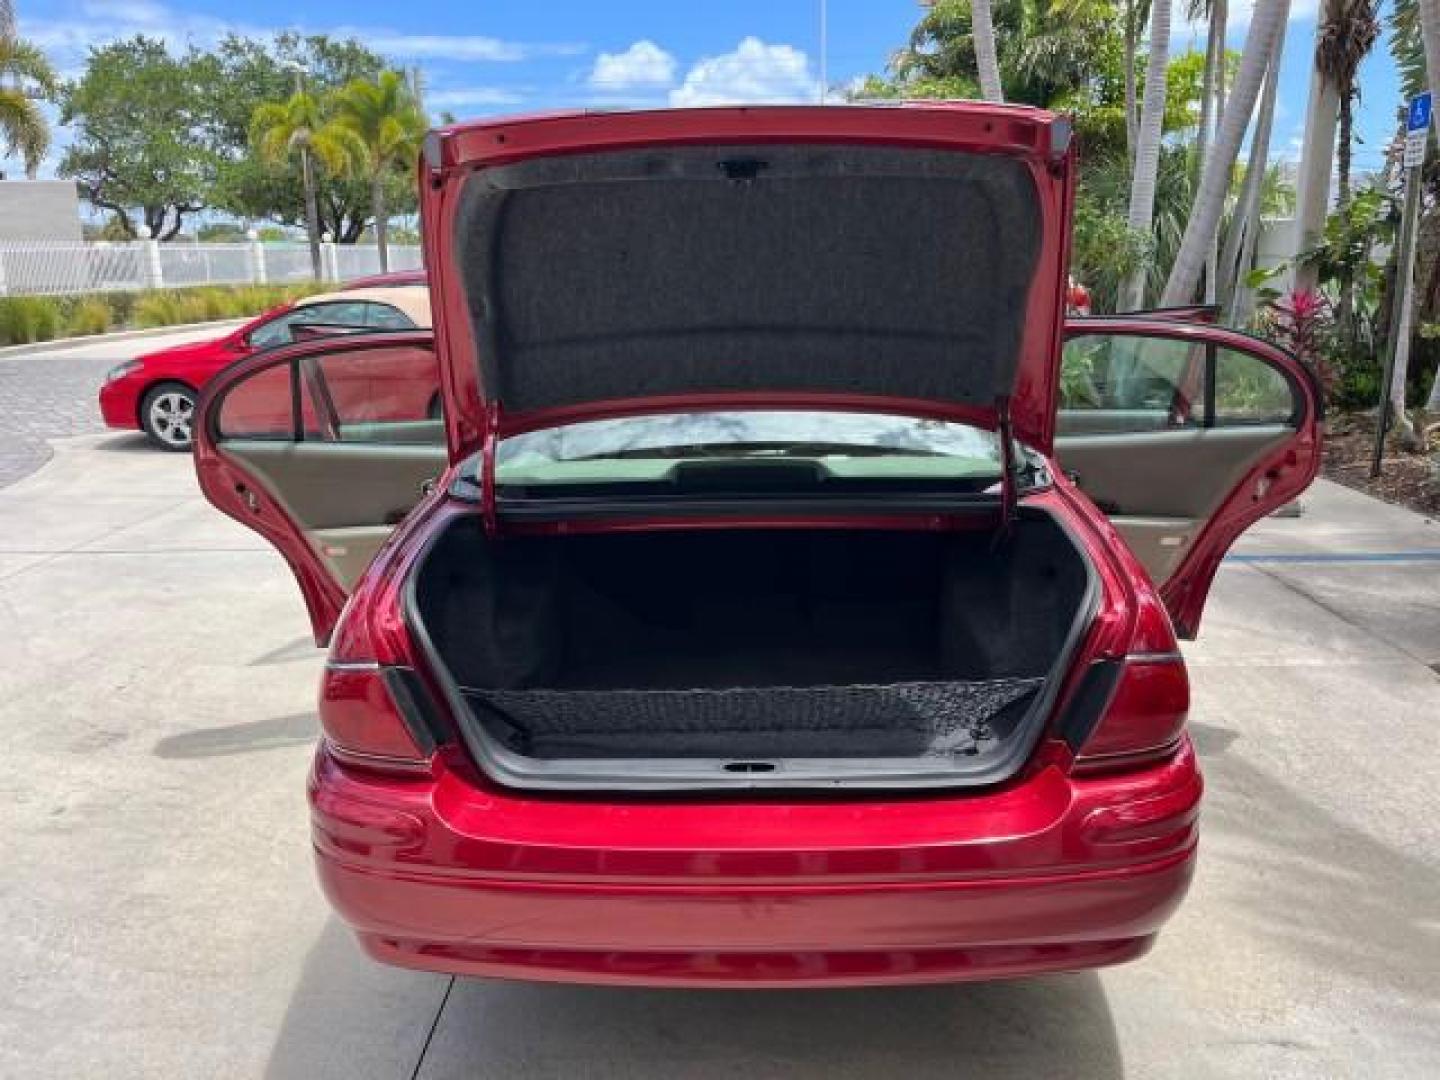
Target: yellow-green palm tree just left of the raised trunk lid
<point>388,126</point>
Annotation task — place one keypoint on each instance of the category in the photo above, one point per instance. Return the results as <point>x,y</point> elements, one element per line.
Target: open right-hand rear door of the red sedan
<point>1184,436</point>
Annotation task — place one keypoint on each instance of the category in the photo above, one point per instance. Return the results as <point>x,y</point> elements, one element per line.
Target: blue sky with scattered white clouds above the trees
<point>490,58</point>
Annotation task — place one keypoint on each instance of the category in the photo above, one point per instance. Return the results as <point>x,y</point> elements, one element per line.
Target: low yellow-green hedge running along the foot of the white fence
<point>25,320</point>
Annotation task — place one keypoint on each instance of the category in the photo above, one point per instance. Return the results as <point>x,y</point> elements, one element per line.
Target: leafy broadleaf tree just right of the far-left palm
<point>139,143</point>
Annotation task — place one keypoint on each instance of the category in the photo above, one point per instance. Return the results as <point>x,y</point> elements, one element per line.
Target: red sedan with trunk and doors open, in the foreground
<point>788,595</point>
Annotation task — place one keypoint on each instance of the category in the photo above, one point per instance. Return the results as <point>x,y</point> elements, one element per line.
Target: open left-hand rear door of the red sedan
<point>322,449</point>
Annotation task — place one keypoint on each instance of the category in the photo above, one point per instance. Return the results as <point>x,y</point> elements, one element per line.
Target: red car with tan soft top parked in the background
<point>156,392</point>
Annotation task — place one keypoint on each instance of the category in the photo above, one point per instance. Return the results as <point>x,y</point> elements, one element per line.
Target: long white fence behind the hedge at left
<point>102,267</point>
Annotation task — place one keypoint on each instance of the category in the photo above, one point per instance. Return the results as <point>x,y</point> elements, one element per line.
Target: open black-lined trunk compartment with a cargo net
<point>747,657</point>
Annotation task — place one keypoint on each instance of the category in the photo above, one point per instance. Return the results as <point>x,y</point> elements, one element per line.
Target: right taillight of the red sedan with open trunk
<point>1130,714</point>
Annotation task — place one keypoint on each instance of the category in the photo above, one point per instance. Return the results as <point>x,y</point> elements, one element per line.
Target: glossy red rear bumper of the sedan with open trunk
<point>440,898</point>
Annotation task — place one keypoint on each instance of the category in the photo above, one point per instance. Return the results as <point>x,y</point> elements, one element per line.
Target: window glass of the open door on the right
<point>1117,384</point>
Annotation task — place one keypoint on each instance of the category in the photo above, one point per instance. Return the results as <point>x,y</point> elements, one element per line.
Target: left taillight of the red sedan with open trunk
<point>372,703</point>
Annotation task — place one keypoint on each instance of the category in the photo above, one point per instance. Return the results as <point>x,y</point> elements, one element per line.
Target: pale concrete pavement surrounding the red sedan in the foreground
<point>159,915</point>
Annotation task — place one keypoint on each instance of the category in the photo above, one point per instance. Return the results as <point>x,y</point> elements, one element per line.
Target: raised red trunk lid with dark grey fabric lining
<point>885,258</point>
